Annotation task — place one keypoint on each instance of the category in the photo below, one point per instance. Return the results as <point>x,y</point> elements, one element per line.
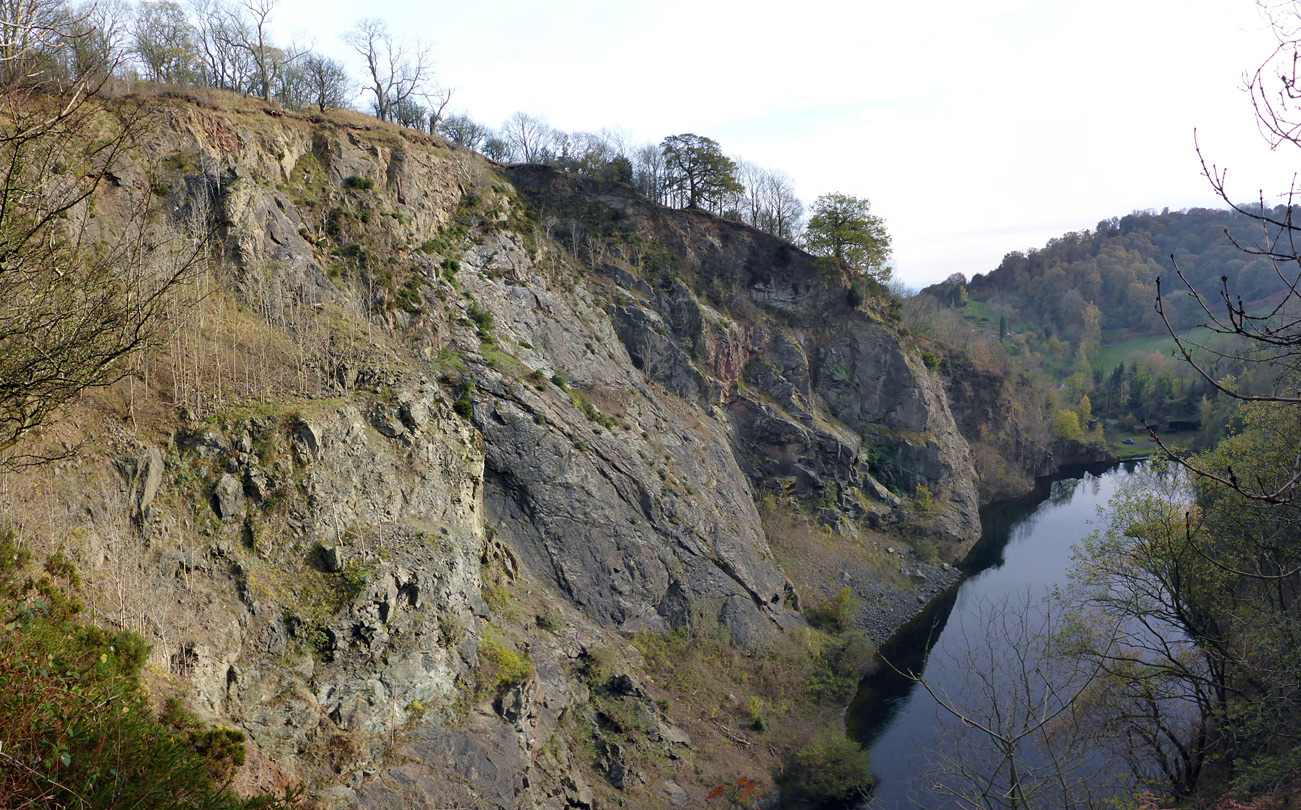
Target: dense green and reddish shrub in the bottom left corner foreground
<point>77,729</point>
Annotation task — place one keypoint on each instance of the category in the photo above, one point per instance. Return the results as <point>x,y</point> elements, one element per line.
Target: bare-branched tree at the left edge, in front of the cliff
<point>76,294</point>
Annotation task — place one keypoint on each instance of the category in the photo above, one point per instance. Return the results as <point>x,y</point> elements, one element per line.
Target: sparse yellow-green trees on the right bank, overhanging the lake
<point>1201,557</point>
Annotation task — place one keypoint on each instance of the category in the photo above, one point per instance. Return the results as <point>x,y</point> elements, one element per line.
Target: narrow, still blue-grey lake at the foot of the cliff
<point>1025,552</point>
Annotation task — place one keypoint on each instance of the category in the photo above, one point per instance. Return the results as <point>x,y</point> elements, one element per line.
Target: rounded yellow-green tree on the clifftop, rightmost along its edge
<point>844,228</point>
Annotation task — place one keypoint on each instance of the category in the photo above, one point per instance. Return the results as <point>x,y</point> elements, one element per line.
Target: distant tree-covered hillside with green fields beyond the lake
<point>1078,319</point>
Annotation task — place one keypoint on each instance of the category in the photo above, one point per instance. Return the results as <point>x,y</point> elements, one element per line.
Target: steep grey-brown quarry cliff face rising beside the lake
<point>499,422</point>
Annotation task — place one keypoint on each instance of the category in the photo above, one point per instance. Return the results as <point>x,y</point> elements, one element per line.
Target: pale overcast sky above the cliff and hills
<point>975,127</point>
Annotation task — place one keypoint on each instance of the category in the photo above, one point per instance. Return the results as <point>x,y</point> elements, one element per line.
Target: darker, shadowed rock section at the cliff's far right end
<point>822,413</point>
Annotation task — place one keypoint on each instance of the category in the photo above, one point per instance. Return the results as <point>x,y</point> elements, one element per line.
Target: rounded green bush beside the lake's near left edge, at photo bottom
<point>829,769</point>
